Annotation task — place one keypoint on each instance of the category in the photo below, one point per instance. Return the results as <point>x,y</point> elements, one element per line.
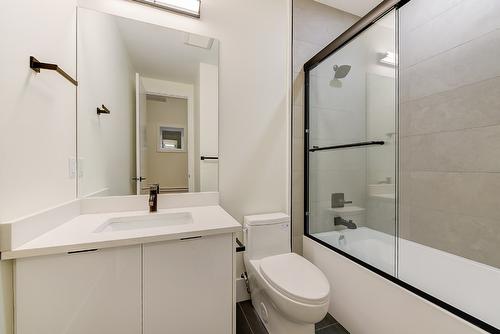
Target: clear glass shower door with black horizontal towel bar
<point>351,147</point>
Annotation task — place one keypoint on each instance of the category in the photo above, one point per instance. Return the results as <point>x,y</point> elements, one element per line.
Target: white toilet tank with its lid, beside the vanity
<point>266,235</point>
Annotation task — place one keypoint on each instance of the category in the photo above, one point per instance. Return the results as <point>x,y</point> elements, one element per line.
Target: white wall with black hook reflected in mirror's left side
<point>106,143</point>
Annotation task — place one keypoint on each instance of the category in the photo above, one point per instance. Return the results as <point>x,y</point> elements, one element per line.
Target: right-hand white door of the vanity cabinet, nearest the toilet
<point>188,286</point>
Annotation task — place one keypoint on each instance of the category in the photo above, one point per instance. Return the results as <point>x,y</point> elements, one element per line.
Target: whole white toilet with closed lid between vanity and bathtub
<point>289,293</point>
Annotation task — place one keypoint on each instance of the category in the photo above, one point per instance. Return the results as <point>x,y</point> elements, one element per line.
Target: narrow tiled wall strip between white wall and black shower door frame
<point>314,26</point>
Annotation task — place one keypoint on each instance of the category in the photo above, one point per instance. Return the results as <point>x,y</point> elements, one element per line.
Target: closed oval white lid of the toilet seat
<point>296,278</point>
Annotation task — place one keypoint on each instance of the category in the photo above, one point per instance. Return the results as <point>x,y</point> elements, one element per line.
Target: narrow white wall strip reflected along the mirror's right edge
<point>208,135</point>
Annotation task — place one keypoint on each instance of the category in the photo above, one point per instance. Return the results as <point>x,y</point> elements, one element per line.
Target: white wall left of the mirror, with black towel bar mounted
<point>37,116</point>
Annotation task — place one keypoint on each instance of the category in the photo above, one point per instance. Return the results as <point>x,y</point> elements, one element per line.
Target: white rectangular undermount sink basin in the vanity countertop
<point>145,221</point>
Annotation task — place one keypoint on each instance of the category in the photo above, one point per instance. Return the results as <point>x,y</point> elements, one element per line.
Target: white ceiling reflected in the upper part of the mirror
<point>160,53</point>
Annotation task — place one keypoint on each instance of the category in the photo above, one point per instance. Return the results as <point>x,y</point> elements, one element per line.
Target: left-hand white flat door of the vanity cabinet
<point>80,293</point>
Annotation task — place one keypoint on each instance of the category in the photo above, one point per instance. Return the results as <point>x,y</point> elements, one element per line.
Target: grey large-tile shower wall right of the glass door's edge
<point>450,126</point>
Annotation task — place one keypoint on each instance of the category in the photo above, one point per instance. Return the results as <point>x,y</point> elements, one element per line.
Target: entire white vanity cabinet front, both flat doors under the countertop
<point>178,286</point>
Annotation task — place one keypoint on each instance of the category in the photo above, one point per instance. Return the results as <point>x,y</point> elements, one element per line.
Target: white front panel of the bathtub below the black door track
<point>364,302</point>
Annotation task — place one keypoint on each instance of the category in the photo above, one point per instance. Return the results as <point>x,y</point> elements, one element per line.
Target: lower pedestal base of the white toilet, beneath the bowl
<point>272,319</point>
